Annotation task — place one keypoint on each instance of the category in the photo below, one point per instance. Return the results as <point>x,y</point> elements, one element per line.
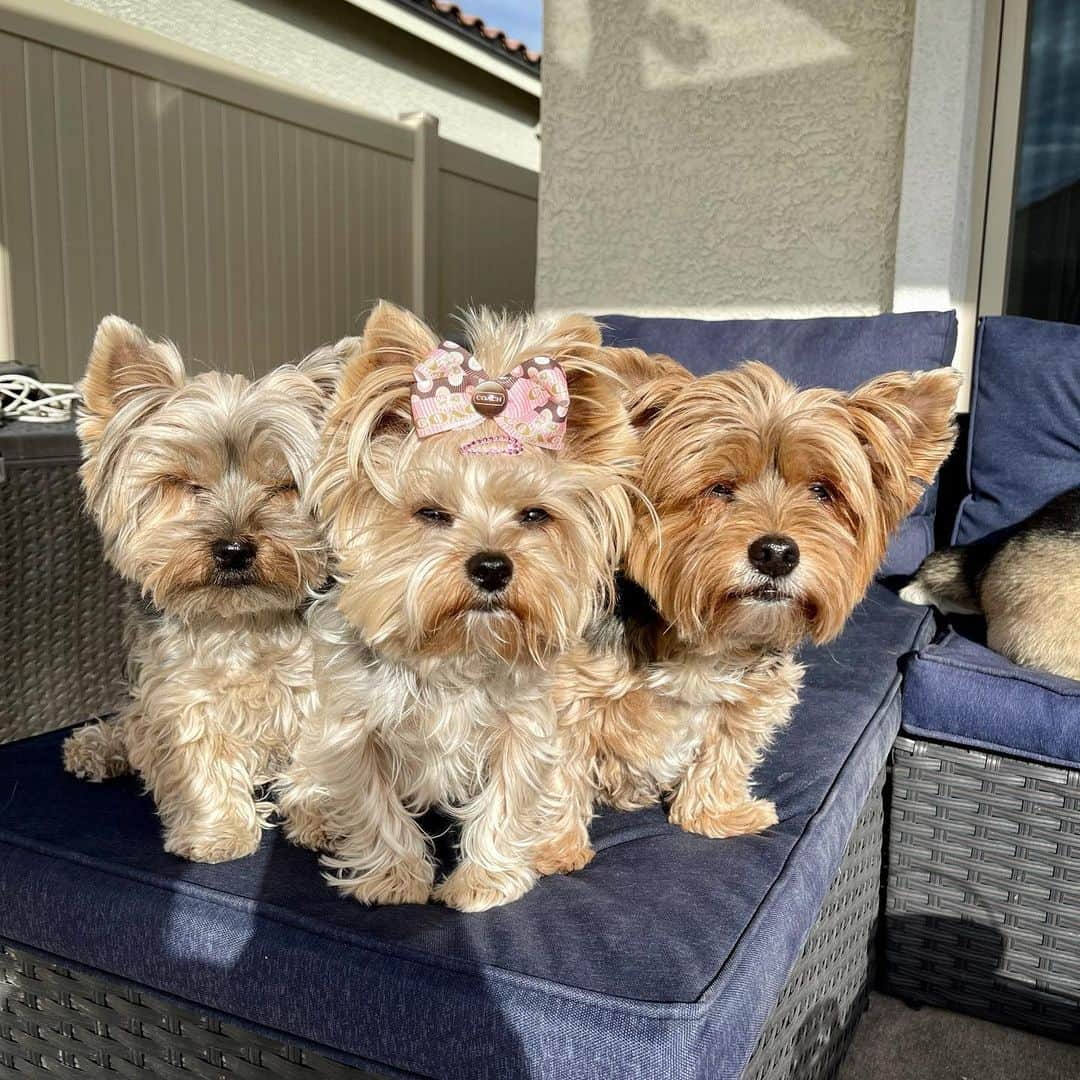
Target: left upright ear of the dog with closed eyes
<point>126,367</point>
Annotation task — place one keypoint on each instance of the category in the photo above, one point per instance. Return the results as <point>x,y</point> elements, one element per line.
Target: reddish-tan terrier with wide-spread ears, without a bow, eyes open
<point>772,511</point>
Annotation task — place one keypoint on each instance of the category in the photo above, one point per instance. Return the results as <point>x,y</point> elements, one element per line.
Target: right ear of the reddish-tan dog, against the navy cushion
<point>907,424</point>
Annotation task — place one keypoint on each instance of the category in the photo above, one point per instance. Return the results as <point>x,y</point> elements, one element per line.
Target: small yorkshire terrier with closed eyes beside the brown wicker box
<point>195,484</point>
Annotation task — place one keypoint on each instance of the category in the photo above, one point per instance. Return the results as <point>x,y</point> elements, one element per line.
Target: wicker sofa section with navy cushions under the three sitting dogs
<point>670,956</point>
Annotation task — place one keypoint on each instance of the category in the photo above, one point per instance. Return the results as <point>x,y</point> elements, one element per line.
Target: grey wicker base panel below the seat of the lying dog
<point>983,902</point>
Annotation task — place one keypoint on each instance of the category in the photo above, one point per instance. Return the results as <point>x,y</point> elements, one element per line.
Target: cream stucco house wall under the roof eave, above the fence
<point>331,48</point>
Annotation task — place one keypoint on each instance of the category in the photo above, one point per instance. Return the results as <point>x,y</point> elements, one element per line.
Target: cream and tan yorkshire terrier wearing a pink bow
<point>476,505</point>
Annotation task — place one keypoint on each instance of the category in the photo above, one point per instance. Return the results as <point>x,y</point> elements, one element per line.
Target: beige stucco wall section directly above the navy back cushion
<point>723,157</point>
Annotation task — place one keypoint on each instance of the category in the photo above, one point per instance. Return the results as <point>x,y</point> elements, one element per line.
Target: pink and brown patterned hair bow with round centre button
<point>453,393</point>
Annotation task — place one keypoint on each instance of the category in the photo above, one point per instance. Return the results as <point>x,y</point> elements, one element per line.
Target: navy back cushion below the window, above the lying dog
<point>1024,447</point>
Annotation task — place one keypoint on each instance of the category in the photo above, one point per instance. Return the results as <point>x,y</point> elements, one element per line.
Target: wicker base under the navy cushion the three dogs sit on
<point>58,1021</point>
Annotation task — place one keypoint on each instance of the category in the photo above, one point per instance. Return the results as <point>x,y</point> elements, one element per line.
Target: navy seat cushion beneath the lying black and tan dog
<point>960,692</point>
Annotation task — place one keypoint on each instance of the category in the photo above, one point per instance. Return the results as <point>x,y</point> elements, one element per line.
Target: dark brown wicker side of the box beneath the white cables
<point>61,607</point>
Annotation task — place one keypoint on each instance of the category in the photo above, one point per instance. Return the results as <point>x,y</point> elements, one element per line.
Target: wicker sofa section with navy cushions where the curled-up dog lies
<point>983,912</point>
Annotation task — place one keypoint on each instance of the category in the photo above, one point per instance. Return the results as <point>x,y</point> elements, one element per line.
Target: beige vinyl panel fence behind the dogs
<point>248,222</point>
